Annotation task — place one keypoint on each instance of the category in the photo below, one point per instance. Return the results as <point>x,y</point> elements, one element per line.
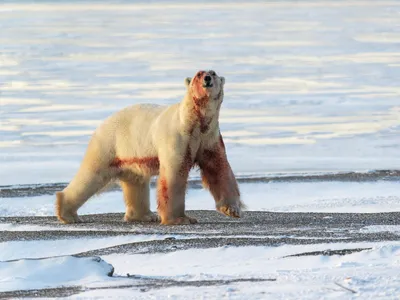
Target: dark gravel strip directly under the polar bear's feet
<point>215,230</point>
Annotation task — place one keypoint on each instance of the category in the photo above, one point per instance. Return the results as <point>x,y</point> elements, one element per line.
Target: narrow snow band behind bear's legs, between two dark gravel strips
<point>335,196</point>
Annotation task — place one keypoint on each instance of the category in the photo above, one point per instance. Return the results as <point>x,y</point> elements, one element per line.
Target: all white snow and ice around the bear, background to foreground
<point>312,87</point>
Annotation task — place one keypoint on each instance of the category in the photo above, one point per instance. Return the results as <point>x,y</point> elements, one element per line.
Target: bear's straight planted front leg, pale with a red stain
<point>171,192</point>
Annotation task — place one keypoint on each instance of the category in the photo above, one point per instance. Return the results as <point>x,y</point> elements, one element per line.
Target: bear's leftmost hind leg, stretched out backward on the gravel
<point>85,184</point>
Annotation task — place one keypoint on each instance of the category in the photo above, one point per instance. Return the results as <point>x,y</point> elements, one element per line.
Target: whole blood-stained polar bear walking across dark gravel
<point>142,141</point>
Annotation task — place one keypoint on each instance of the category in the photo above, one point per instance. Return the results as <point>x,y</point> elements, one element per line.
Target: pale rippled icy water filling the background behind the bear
<point>311,86</point>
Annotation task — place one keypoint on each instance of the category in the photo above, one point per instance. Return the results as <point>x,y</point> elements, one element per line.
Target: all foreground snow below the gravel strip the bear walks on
<point>371,273</point>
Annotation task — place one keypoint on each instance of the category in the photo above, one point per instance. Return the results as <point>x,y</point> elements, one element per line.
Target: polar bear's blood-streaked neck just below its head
<point>200,115</point>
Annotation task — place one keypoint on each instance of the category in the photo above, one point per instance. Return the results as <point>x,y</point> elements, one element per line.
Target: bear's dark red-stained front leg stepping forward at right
<point>218,177</point>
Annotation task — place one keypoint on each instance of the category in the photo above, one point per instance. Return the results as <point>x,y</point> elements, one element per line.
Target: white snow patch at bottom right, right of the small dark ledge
<point>307,277</point>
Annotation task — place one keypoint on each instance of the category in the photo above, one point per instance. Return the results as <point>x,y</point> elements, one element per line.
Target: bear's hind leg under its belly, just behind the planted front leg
<point>137,201</point>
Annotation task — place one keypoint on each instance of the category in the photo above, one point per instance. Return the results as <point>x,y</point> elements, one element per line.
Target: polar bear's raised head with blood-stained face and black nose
<point>206,87</point>
